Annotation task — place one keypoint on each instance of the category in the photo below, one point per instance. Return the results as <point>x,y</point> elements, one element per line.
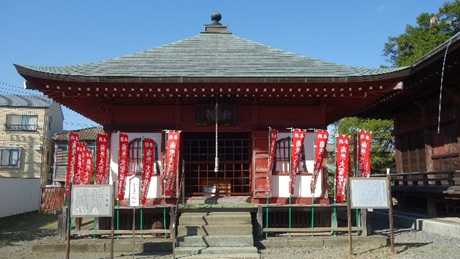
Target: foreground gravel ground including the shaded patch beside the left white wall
<point>17,242</point>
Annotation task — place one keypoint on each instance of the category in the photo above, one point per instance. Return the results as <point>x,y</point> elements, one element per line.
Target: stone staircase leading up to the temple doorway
<point>215,235</point>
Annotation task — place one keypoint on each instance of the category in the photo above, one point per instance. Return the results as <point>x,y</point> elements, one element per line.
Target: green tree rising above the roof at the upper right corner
<point>430,30</point>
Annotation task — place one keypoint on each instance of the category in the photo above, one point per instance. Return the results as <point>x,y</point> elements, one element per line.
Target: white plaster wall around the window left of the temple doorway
<point>154,187</point>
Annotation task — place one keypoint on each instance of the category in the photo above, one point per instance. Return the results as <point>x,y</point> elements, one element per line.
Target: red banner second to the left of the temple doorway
<point>148,166</point>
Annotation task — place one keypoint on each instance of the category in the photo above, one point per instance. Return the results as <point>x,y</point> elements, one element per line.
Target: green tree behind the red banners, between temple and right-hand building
<point>382,139</point>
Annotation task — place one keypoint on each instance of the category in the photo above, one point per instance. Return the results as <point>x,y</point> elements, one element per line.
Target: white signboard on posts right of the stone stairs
<point>369,193</point>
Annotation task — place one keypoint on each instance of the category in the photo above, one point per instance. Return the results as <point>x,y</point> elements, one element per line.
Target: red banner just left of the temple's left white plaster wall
<point>102,171</point>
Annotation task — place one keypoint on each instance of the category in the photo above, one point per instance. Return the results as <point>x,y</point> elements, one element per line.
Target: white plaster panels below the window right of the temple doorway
<point>280,186</point>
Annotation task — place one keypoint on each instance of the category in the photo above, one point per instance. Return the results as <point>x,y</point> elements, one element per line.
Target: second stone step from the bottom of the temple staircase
<point>216,241</point>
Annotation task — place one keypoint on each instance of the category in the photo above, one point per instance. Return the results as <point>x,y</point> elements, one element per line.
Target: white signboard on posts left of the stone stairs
<point>92,201</point>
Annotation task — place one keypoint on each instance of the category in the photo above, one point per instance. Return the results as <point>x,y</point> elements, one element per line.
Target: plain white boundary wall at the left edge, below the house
<point>19,196</point>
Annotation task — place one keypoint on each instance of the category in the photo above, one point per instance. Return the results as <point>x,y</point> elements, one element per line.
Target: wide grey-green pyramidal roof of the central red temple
<point>212,55</point>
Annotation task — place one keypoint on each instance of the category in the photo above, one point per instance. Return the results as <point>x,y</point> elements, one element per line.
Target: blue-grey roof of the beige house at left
<point>24,101</point>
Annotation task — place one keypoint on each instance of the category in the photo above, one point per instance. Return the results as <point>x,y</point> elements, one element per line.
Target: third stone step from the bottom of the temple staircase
<point>203,230</point>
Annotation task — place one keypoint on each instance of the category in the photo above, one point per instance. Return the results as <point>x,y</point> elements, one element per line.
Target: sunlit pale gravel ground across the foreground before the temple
<point>409,244</point>
